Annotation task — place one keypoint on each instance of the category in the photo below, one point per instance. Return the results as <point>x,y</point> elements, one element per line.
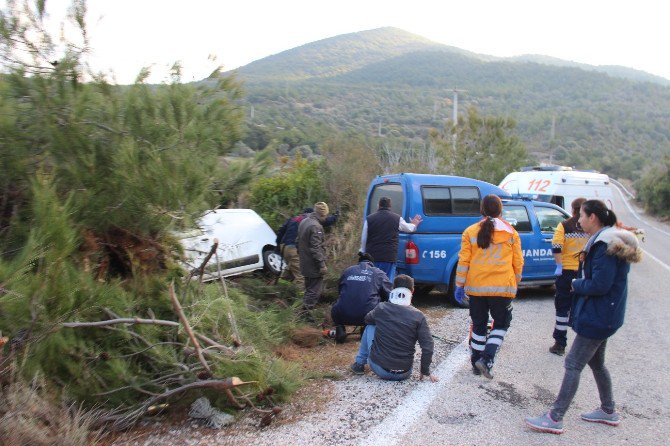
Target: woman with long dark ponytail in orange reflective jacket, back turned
<point>488,272</point>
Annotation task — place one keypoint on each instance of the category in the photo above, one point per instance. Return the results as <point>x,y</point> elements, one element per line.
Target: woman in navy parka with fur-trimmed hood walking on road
<point>597,313</point>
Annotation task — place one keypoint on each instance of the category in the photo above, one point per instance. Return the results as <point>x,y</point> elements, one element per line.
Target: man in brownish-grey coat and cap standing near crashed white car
<point>312,253</point>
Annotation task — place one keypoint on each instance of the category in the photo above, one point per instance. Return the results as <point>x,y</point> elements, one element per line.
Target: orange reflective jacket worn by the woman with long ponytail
<point>494,271</point>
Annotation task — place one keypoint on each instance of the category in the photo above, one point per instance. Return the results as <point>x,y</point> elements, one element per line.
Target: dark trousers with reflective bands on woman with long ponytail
<point>483,343</point>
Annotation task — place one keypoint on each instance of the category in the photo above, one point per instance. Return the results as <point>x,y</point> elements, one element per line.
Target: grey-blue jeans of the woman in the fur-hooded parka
<point>584,351</point>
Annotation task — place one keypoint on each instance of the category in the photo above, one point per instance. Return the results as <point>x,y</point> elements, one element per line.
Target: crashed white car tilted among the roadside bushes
<point>246,243</point>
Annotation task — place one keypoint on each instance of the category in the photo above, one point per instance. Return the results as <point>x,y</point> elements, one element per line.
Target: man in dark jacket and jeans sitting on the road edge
<point>395,327</point>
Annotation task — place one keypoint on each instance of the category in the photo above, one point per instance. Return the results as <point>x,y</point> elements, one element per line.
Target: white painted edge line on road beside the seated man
<point>403,417</point>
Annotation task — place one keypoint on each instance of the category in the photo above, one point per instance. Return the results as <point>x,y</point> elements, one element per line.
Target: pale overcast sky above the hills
<point>126,35</point>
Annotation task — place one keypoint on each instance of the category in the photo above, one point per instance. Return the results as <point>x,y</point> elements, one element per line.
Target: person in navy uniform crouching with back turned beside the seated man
<point>361,288</point>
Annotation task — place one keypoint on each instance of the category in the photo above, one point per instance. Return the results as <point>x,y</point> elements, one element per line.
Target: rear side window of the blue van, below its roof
<point>450,200</point>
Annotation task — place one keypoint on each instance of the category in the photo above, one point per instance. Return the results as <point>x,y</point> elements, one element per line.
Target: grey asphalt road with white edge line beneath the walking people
<point>463,409</point>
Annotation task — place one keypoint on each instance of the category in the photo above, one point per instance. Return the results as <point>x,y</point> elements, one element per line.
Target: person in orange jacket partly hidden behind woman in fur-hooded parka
<point>568,242</point>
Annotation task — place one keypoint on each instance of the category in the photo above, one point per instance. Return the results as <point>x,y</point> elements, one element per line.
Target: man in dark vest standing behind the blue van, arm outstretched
<point>380,235</point>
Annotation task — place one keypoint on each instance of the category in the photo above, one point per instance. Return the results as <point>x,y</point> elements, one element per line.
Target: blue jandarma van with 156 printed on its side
<point>448,205</point>
